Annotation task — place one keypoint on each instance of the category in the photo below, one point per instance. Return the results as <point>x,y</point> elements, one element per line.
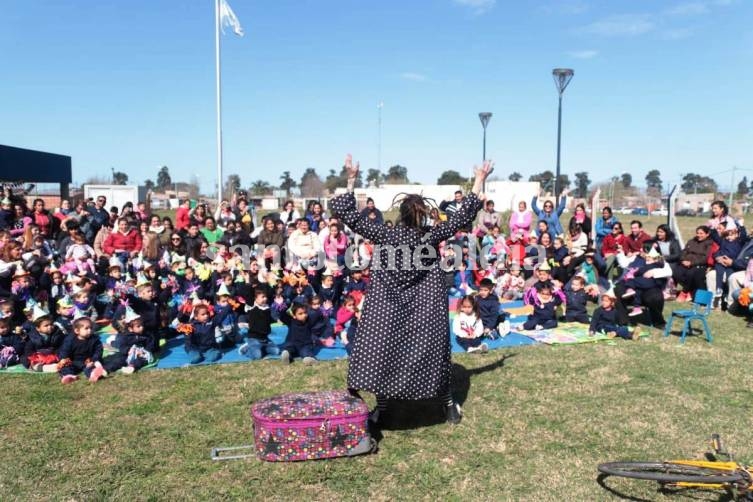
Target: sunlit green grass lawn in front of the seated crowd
<point>537,421</point>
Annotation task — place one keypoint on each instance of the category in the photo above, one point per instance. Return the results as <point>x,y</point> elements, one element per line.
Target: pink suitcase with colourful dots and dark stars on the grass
<point>310,426</point>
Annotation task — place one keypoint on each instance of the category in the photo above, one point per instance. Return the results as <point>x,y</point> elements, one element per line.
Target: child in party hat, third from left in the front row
<point>135,346</point>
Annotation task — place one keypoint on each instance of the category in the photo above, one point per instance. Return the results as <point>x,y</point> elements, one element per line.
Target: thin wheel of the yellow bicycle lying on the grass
<point>668,472</point>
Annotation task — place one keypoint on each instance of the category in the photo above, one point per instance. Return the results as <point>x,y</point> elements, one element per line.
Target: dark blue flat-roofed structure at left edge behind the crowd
<point>20,164</point>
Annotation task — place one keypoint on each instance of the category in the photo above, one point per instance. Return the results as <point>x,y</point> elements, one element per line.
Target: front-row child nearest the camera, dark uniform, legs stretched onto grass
<point>81,352</point>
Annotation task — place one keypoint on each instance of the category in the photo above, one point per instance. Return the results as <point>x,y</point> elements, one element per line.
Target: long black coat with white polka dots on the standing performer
<point>402,347</point>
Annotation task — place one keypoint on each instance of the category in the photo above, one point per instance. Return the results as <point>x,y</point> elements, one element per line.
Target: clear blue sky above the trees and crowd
<point>130,85</point>
